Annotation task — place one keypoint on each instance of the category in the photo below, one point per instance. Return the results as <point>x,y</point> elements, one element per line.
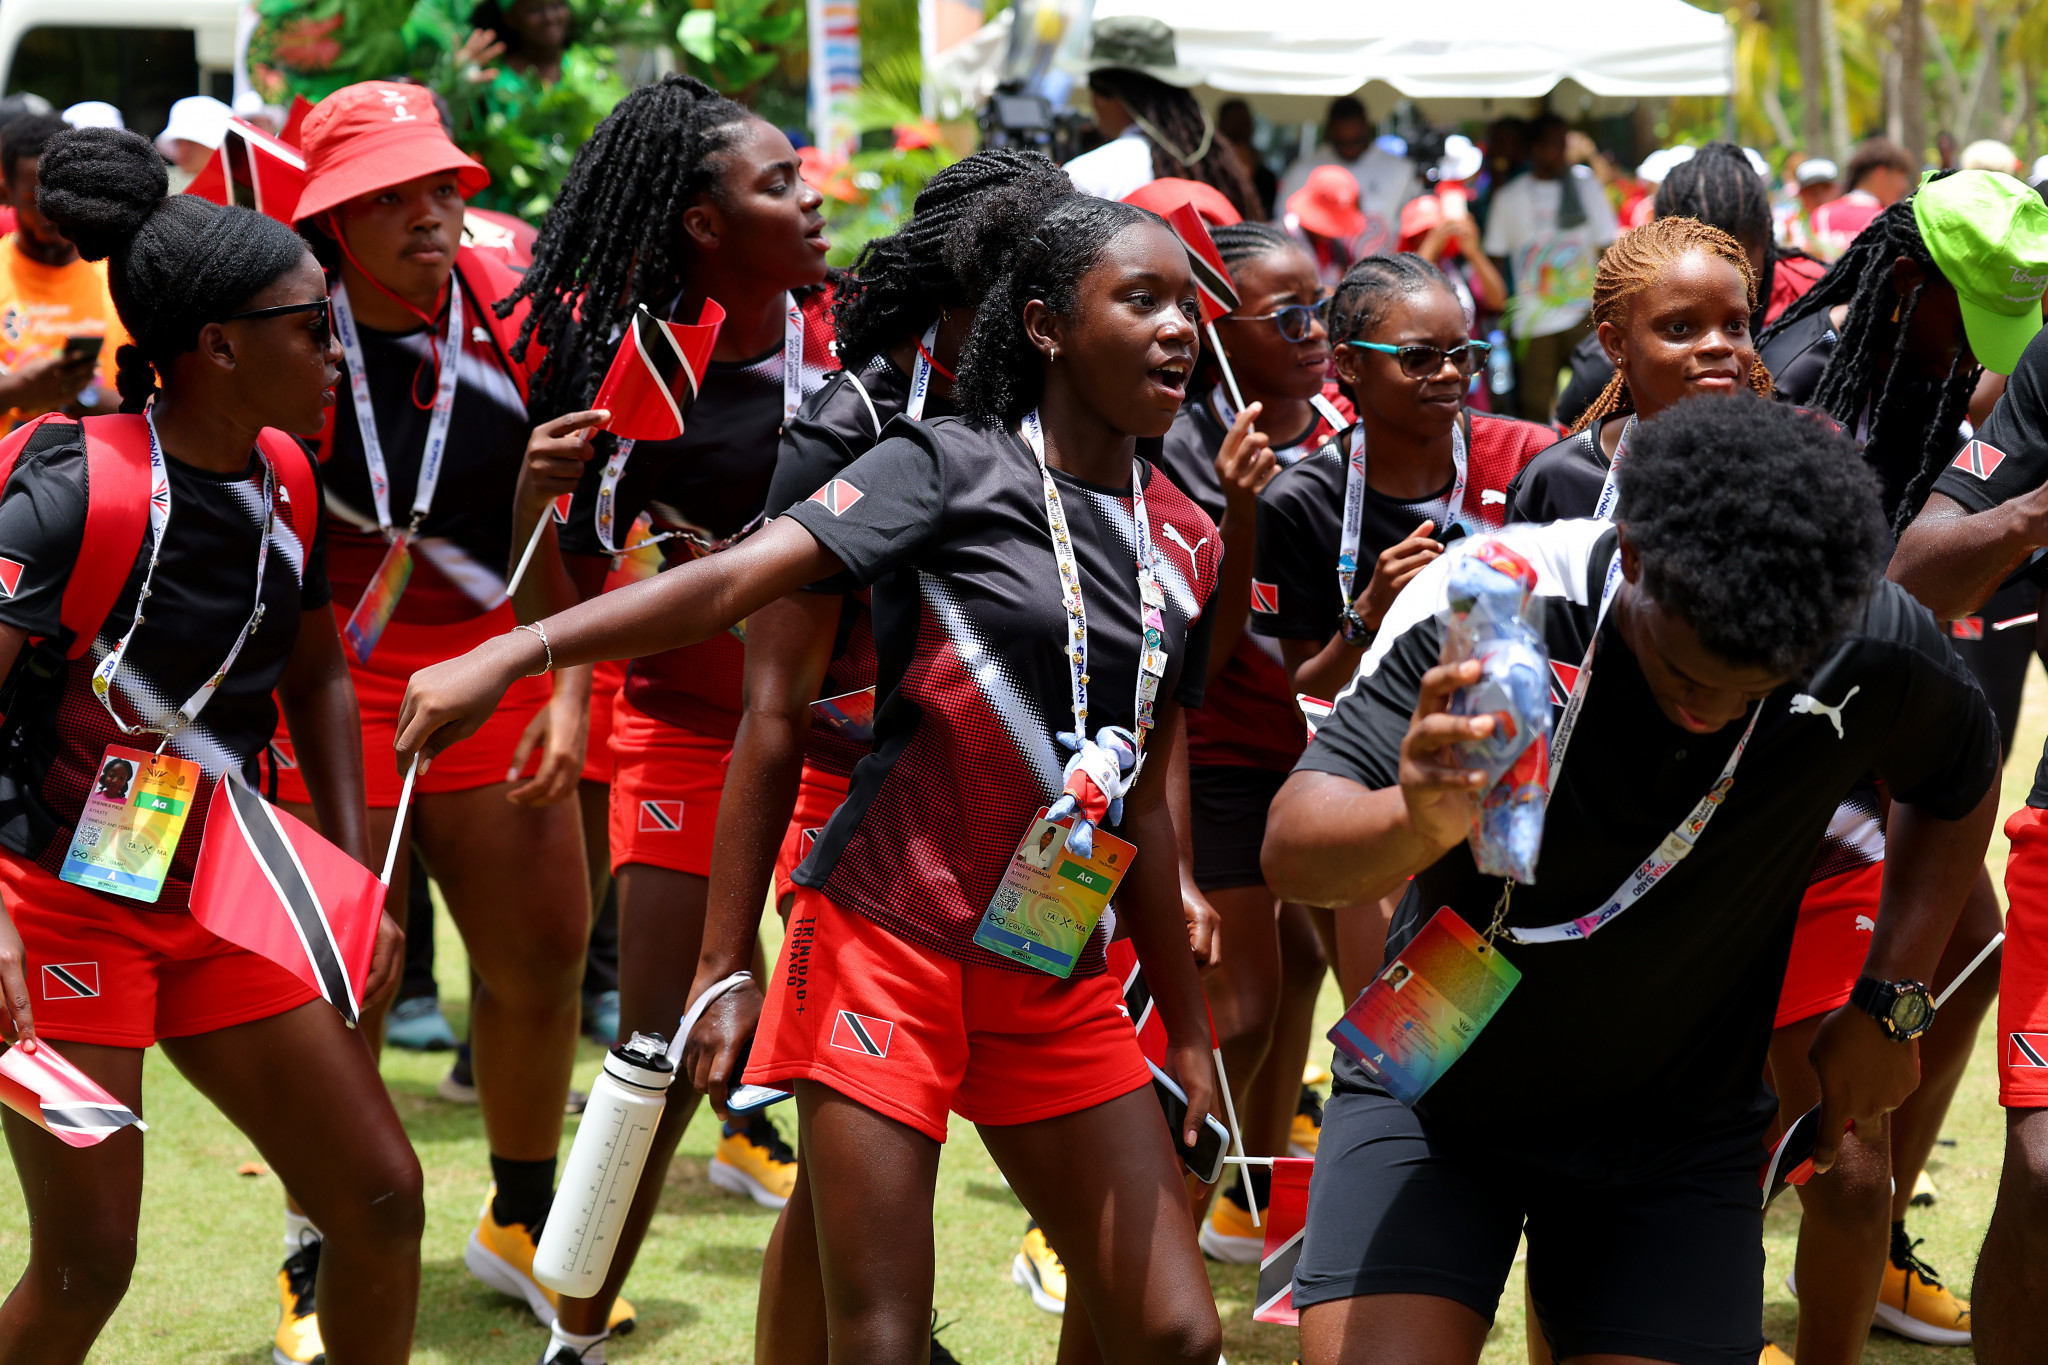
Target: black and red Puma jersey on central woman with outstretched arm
<point>947,523</point>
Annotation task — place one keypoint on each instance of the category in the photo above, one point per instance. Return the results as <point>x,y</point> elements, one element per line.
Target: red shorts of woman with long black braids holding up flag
<point>667,789</point>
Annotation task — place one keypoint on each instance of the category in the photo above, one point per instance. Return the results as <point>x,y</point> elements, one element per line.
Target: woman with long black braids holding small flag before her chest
<point>681,202</point>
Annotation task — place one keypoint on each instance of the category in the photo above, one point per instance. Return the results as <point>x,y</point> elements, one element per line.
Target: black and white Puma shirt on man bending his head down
<point>1619,1055</point>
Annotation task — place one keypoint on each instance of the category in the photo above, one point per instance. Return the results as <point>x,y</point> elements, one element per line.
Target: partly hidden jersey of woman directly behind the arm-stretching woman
<point>837,427</point>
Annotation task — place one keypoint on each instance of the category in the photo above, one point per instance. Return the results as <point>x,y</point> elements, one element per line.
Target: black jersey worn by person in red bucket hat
<point>460,558</point>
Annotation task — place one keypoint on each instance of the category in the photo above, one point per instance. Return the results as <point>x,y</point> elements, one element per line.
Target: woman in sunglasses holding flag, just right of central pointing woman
<point>1248,732</point>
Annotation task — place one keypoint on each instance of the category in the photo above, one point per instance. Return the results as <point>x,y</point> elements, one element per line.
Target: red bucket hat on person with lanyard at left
<point>374,136</point>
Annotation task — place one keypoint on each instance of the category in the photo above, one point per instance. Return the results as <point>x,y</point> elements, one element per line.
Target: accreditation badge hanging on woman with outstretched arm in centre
<point>1052,899</point>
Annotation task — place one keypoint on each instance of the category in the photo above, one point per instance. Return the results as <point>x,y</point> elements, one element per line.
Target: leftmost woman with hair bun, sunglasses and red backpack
<point>230,322</point>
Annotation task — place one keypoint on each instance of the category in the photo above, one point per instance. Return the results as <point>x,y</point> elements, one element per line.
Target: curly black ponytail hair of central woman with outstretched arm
<point>1002,373</point>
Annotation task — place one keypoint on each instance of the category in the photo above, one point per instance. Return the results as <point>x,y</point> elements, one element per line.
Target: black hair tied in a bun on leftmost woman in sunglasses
<point>175,261</point>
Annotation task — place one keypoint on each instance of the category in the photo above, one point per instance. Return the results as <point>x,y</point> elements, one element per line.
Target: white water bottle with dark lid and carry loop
<point>605,1168</point>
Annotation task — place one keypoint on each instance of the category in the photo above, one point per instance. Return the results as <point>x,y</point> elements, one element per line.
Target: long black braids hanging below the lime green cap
<point>1865,371</point>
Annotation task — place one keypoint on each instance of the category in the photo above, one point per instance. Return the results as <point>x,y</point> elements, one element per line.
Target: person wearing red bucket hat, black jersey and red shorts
<point>419,466</point>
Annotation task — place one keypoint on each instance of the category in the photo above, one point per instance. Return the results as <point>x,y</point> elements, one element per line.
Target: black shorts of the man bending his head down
<point>1668,1270</point>
